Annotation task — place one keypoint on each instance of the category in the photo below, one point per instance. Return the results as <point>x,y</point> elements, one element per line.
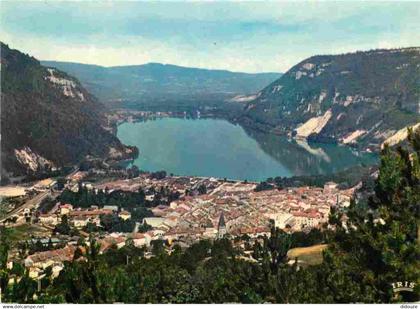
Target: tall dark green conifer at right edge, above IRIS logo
<point>379,245</point>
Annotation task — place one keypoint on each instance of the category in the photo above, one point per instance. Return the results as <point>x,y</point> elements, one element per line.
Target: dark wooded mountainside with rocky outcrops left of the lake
<point>48,120</point>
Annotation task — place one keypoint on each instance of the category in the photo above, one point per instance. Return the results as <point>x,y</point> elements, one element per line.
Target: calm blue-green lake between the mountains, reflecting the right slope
<point>218,148</point>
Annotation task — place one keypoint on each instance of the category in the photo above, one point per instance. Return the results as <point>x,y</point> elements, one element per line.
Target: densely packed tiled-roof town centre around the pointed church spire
<point>246,211</point>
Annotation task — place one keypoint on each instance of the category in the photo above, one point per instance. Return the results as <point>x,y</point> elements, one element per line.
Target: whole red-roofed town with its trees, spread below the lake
<point>197,208</point>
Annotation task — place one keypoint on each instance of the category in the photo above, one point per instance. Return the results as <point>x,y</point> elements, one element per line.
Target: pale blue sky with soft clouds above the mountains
<point>257,36</point>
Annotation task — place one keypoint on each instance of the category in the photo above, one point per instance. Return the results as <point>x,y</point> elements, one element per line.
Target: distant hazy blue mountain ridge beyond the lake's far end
<point>168,85</point>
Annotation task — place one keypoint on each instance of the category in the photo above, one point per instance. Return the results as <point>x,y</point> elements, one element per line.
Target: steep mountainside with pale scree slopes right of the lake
<point>362,98</point>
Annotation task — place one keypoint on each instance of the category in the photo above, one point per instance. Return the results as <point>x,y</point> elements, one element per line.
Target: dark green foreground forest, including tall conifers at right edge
<point>374,247</point>
